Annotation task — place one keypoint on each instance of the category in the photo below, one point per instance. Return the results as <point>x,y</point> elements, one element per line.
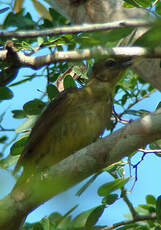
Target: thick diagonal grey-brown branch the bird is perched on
<point>42,186</point>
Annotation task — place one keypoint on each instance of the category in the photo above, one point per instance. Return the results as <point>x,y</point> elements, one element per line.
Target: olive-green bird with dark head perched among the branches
<point>73,120</point>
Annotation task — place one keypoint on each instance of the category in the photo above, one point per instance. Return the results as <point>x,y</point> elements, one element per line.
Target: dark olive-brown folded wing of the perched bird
<point>52,114</point>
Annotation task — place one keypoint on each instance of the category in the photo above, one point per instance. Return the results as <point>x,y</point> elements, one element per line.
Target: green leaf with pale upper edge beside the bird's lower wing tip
<point>18,146</point>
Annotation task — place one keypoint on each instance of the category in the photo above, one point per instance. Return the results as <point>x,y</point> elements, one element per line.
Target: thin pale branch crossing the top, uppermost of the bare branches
<point>79,28</point>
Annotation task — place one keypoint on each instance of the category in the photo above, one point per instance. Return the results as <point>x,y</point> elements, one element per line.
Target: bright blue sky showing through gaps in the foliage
<point>148,170</point>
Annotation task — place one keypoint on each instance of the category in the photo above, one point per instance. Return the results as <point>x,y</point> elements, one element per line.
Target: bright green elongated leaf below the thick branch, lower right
<point>106,189</point>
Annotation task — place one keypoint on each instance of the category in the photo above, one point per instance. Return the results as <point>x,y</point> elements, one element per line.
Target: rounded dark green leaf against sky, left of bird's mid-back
<point>34,107</point>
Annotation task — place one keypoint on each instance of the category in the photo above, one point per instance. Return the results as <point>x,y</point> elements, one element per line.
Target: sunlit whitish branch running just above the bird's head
<point>75,55</point>
